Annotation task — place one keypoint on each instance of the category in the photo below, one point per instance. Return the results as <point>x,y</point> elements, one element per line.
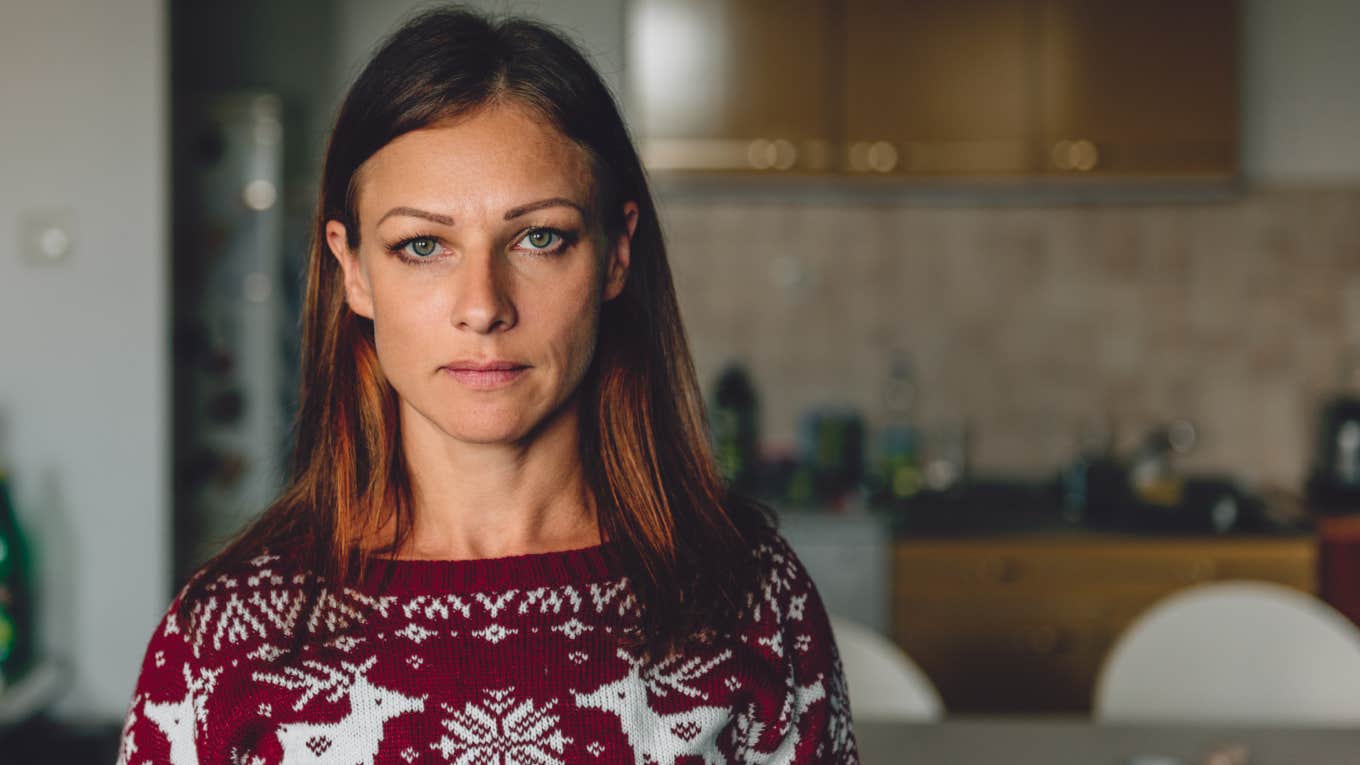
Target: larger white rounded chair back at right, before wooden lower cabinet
<point>1234,653</point>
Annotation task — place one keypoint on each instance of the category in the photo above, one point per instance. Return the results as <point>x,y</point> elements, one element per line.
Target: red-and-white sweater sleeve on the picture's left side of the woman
<point>161,725</point>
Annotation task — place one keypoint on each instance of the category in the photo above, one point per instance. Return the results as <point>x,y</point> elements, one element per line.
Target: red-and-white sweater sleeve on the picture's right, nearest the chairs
<point>814,725</point>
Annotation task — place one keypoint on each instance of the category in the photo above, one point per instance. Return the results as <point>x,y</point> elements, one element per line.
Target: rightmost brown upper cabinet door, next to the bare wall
<point>1146,88</point>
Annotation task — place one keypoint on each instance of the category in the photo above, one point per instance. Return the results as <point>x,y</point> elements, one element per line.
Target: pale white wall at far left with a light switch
<point>84,390</point>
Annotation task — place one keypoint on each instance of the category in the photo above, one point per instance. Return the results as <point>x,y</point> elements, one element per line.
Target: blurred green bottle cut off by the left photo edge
<point>16,602</point>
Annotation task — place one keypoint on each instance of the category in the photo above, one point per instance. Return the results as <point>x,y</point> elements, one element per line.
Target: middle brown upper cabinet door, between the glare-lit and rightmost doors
<point>940,88</point>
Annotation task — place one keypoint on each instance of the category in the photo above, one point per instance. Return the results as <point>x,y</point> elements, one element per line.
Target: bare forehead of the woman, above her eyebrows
<point>494,159</point>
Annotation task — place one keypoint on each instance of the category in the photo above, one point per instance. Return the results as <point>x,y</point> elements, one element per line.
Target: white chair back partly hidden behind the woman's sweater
<point>883,683</point>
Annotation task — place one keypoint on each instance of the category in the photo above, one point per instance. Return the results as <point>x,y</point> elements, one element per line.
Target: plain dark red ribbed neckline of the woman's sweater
<point>492,575</point>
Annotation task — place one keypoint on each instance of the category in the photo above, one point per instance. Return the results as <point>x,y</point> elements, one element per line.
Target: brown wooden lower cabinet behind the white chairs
<point>1022,625</point>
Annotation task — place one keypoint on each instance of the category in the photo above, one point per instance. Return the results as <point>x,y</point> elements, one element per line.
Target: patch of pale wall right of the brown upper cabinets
<point>1301,92</point>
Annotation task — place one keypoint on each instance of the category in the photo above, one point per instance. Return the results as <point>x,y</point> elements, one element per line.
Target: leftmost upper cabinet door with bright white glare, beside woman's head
<point>734,85</point>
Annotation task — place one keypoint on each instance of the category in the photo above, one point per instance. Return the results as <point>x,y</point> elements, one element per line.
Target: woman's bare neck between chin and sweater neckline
<point>497,500</point>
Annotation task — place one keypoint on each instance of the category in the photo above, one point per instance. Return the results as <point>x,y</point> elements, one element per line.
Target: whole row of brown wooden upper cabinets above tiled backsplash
<point>921,89</point>
